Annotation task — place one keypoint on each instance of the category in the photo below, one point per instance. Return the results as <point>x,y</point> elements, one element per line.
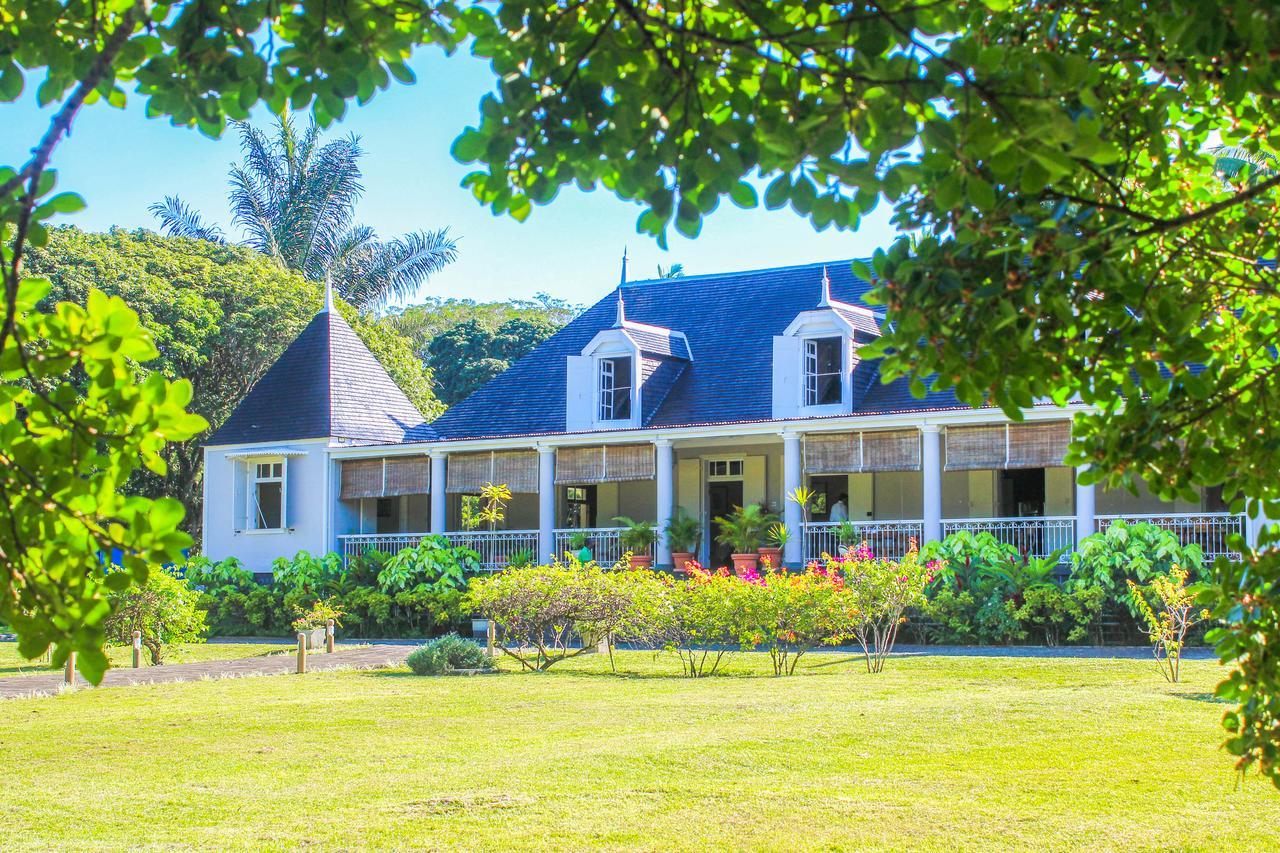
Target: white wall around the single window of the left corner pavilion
<point>308,489</point>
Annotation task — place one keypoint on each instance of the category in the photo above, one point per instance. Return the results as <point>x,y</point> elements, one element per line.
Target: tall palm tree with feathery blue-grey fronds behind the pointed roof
<point>295,200</point>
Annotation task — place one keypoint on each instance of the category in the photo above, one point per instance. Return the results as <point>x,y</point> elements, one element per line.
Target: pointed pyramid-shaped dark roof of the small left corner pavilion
<point>327,385</point>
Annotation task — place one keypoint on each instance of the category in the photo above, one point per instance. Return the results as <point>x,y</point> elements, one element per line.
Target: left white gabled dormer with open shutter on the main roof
<point>623,375</point>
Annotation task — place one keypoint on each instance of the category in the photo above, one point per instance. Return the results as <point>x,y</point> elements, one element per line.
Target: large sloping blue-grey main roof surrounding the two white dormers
<point>730,321</point>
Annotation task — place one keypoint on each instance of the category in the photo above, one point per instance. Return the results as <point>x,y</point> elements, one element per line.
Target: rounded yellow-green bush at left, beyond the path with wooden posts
<point>163,610</point>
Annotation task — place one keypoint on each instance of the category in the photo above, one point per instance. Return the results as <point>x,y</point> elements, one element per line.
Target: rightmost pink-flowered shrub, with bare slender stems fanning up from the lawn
<point>877,594</point>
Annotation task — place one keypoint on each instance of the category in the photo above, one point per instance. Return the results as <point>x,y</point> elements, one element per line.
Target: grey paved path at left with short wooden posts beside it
<point>363,658</point>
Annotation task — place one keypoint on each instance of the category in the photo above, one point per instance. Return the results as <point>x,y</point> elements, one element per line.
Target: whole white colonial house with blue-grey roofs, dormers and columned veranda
<point>698,394</point>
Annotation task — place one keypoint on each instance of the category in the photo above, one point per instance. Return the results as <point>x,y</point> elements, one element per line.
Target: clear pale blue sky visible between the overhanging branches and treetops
<point>121,162</point>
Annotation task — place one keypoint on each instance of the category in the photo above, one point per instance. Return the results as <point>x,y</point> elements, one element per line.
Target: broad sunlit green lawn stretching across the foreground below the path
<point>935,752</point>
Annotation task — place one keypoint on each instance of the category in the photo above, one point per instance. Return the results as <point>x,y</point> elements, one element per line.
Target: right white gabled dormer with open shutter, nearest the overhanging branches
<point>816,357</point>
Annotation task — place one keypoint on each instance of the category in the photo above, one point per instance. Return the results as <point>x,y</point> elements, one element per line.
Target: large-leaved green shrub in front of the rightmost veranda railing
<point>1127,553</point>
